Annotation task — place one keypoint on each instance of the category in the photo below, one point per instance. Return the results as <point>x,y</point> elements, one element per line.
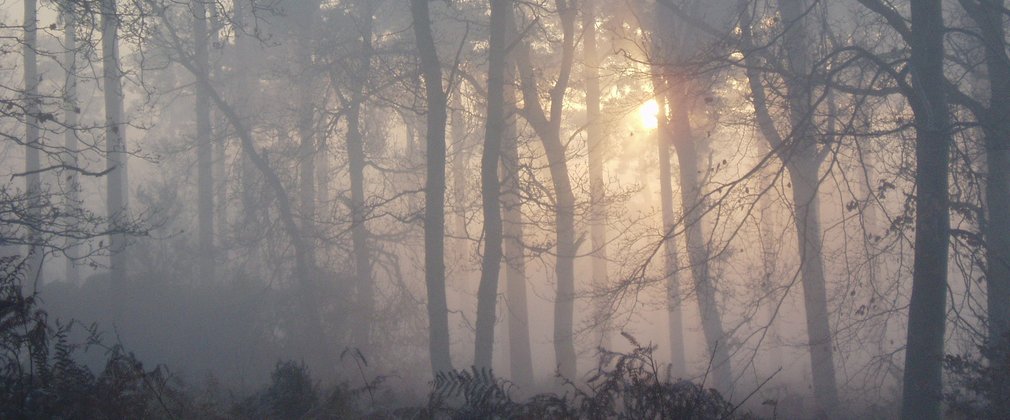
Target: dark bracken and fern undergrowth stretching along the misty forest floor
<point>41,378</point>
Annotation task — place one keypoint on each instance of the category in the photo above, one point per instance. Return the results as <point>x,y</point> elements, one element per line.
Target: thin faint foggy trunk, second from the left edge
<point>71,113</point>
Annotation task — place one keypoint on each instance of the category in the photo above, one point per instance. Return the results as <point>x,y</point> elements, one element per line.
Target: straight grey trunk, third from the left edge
<point>116,153</point>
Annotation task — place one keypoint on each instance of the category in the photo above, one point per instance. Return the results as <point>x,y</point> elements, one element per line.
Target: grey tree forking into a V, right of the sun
<point>799,151</point>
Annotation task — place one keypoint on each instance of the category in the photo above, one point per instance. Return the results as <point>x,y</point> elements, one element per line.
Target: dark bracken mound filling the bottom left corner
<point>41,379</point>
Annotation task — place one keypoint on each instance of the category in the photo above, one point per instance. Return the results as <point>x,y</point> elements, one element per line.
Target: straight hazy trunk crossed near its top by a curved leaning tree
<point>206,177</point>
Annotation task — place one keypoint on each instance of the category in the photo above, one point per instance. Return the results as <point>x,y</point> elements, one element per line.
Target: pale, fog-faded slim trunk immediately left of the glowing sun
<point>596,149</point>
